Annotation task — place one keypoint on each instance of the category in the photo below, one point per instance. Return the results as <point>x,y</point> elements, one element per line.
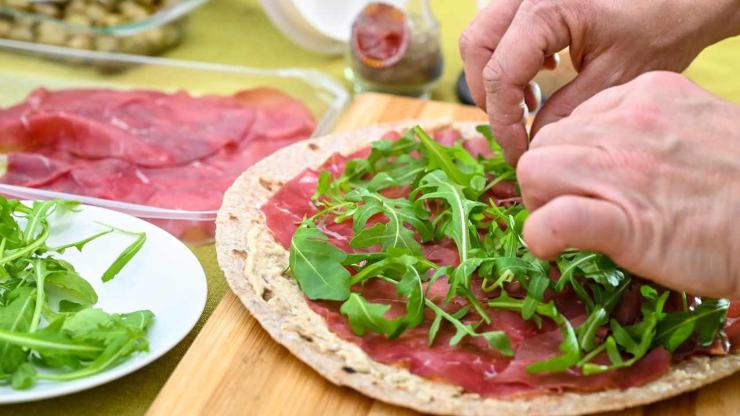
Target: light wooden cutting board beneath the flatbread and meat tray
<point>234,367</point>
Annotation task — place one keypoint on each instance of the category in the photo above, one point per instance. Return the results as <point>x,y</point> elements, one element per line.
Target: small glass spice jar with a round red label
<point>395,51</point>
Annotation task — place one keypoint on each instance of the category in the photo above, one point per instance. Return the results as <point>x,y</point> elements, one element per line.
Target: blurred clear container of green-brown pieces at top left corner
<point>110,26</point>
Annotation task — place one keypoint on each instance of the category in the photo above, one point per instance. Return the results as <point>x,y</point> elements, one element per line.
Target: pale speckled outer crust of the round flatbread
<point>254,264</point>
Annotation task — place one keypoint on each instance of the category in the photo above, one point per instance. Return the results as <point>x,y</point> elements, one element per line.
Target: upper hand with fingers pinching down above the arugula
<point>610,43</point>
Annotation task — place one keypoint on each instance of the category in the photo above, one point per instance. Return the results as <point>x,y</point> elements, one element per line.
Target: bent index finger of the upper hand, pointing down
<point>538,30</point>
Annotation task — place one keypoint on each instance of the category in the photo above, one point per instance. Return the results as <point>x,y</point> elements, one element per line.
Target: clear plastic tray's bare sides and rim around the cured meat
<point>21,71</point>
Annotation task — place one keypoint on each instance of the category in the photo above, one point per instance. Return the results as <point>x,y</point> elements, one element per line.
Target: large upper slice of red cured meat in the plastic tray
<point>144,127</point>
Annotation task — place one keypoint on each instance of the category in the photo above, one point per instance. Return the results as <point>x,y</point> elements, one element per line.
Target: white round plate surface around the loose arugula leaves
<point>164,277</point>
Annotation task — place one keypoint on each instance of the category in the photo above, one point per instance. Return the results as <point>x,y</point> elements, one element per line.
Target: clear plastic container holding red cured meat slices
<point>156,138</point>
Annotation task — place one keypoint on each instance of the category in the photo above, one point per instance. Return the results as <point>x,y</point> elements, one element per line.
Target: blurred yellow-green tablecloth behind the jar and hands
<point>239,32</point>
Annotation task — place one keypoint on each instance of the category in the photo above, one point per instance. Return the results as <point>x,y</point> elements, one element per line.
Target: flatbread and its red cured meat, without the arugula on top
<point>254,230</point>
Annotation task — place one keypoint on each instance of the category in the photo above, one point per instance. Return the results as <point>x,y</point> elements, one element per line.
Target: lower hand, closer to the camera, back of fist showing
<point>647,173</point>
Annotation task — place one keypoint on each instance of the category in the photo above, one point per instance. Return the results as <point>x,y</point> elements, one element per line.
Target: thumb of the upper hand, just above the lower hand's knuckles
<point>566,99</point>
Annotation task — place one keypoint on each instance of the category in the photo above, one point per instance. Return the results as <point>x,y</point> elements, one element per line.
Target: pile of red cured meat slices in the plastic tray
<point>162,150</point>
